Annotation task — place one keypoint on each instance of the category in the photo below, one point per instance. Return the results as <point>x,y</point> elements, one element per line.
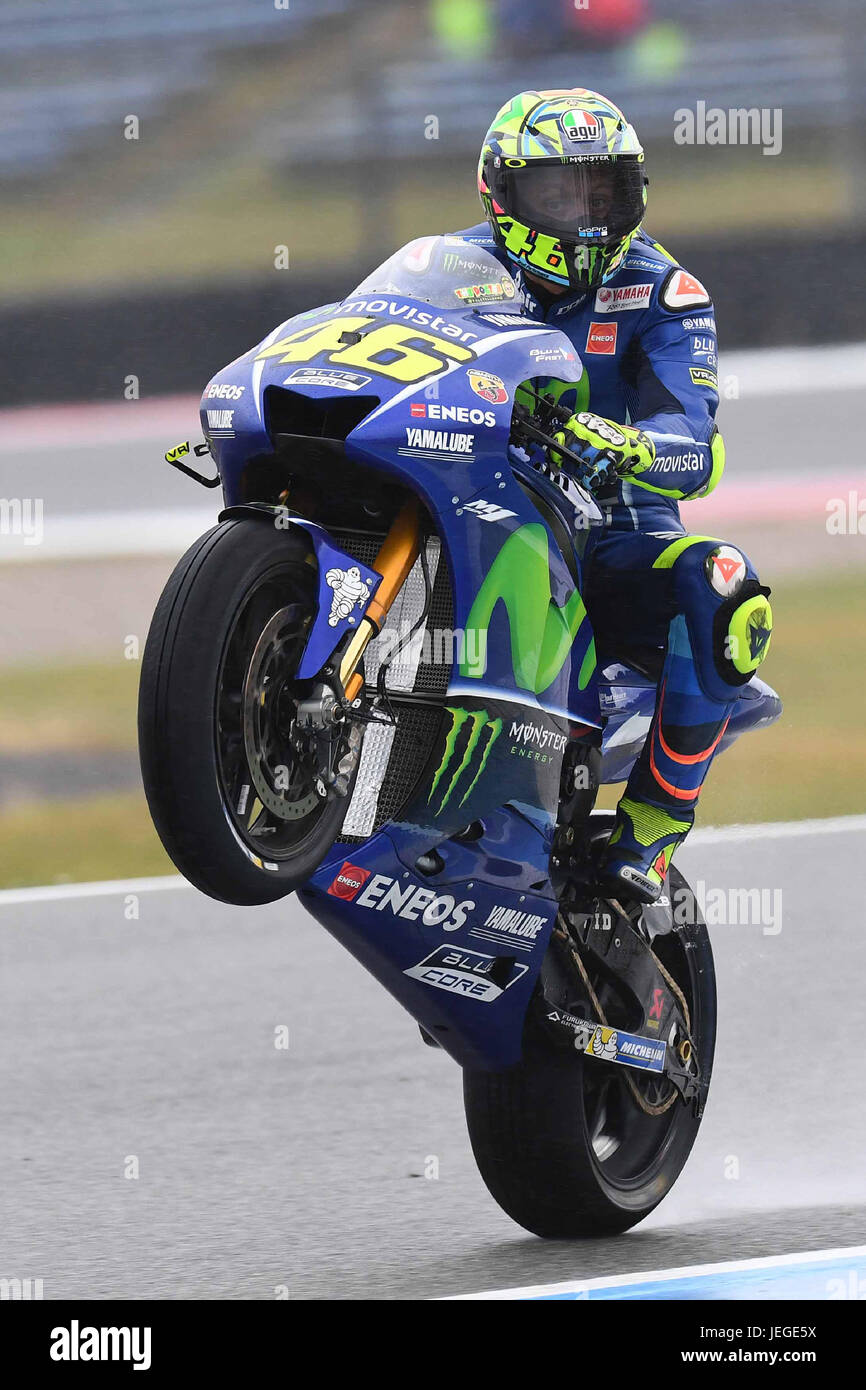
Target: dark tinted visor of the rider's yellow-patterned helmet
<point>598,199</point>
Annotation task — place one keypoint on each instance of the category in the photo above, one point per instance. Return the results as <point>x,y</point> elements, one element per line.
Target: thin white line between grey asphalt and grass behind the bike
<point>710,836</point>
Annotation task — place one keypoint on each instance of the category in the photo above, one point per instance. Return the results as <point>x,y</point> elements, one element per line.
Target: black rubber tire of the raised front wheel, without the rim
<point>211,616</point>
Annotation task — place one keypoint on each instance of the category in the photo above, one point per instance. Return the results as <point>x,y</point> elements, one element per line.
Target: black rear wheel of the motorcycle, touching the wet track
<point>571,1146</point>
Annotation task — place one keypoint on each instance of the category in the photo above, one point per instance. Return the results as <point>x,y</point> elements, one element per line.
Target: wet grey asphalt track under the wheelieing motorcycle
<point>263,1168</point>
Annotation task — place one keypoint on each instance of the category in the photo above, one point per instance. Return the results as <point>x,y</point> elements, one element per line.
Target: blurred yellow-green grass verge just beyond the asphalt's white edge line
<point>808,765</point>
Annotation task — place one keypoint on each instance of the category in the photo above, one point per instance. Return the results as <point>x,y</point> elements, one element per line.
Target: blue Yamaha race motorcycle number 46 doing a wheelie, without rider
<point>375,685</point>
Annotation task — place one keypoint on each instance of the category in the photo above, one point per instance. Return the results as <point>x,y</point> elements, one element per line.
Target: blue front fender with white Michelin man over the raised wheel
<point>345,587</point>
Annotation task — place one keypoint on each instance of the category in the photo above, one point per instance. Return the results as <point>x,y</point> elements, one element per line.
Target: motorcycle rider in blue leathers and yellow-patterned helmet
<point>564,190</point>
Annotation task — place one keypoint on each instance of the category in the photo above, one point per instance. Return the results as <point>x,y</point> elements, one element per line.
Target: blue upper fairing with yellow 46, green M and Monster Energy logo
<point>523,660</point>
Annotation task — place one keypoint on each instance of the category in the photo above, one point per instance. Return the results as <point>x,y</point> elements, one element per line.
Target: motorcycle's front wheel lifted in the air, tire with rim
<point>237,792</point>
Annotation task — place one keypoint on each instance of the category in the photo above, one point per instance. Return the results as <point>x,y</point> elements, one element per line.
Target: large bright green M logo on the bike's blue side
<point>543,633</point>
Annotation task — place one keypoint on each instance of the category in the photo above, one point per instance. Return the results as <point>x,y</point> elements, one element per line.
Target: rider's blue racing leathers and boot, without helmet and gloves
<point>647,341</point>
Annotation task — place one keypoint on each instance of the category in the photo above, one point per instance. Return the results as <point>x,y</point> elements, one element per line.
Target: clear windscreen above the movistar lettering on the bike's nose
<point>447,273</point>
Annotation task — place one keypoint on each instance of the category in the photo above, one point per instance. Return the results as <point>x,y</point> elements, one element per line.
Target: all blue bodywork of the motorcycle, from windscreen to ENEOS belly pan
<point>457,938</point>
